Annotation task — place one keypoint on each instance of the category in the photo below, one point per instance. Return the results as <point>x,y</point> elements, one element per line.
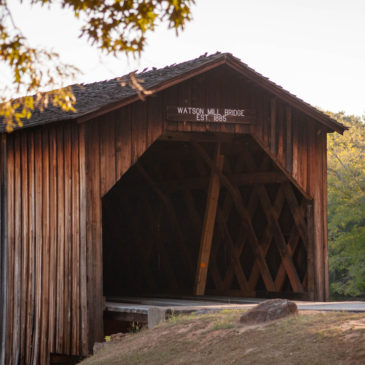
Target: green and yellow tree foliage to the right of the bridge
<point>346,207</point>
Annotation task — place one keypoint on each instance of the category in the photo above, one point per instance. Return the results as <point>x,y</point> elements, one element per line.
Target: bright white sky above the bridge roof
<point>313,48</point>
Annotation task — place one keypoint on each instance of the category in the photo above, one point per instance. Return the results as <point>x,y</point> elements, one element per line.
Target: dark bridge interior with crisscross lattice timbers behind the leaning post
<point>260,238</point>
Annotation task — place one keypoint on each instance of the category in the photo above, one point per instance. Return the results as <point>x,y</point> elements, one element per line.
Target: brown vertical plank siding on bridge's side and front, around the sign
<point>56,176</point>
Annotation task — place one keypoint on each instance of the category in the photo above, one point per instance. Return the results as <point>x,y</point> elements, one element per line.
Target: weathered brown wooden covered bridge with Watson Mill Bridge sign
<point>215,184</point>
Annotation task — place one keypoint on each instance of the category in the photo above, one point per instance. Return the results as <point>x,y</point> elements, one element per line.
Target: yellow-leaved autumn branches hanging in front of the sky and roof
<point>113,26</point>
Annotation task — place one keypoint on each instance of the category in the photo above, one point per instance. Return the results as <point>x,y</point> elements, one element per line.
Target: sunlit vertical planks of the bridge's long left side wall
<point>46,309</point>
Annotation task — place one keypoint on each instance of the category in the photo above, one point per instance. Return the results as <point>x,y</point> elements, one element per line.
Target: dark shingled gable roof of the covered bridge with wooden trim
<point>101,97</point>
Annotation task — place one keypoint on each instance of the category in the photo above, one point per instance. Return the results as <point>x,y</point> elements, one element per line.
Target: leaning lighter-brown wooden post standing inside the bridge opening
<point>208,226</point>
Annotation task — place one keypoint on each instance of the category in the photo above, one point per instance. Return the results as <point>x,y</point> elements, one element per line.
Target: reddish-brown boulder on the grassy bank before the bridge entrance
<point>269,310</point>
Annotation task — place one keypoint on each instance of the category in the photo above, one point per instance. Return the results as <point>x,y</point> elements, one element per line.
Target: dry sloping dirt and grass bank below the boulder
<point>308,338</point>
